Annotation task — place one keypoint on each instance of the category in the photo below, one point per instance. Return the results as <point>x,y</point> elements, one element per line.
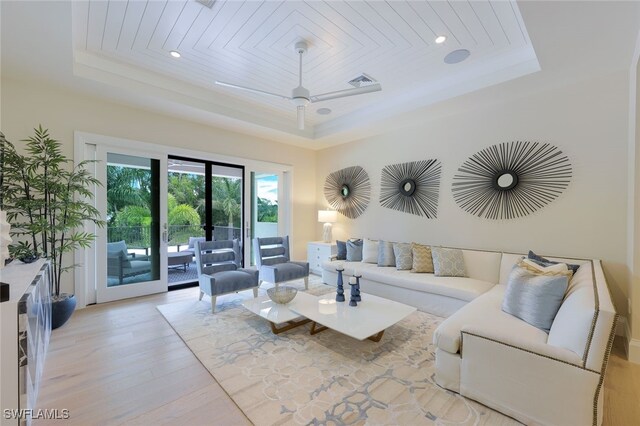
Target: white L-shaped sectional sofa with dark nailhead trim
<point>497,359</point>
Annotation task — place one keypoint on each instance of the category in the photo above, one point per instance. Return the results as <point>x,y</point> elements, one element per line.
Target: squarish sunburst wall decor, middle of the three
<point>412,187</point>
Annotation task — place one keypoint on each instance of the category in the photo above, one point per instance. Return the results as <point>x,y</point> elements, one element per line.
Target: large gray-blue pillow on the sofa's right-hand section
<point>533,297</point>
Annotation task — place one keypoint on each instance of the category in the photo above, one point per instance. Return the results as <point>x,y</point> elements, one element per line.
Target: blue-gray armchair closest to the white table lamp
<point>274,264</point>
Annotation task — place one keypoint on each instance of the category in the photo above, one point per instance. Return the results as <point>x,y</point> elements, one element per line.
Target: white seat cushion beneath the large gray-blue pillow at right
<point>484,311</point>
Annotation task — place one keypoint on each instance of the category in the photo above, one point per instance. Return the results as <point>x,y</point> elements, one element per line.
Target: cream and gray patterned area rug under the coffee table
<point>328,378</point>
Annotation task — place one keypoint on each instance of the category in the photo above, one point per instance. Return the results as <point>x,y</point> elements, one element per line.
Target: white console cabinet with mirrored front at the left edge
<point>25,329</point>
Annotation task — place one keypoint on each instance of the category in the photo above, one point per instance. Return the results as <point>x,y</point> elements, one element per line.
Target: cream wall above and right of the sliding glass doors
<point>25,104</point>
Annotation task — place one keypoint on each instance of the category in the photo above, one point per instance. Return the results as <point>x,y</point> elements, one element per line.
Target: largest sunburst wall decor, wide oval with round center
<point>511,179</point>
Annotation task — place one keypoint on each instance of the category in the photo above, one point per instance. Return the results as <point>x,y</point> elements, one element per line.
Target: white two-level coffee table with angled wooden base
<point>368,320</point>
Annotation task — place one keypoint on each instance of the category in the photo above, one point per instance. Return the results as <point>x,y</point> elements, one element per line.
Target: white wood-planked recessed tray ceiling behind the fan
<point>250,43</point>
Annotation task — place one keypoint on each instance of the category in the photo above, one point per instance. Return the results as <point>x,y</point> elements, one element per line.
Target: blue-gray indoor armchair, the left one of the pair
<point>219,271</point>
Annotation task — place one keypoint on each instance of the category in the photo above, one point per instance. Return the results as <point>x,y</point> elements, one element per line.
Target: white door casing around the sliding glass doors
<point>84,144</point>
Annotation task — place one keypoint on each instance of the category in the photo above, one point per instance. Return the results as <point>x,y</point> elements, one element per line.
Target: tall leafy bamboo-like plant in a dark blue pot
<point>47,202</point>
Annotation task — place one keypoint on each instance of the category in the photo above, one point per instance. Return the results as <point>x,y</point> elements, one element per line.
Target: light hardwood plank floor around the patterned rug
<point>121,363</point>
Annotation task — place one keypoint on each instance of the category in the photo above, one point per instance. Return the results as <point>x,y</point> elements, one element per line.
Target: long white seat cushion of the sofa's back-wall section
<point>465,289</point>
